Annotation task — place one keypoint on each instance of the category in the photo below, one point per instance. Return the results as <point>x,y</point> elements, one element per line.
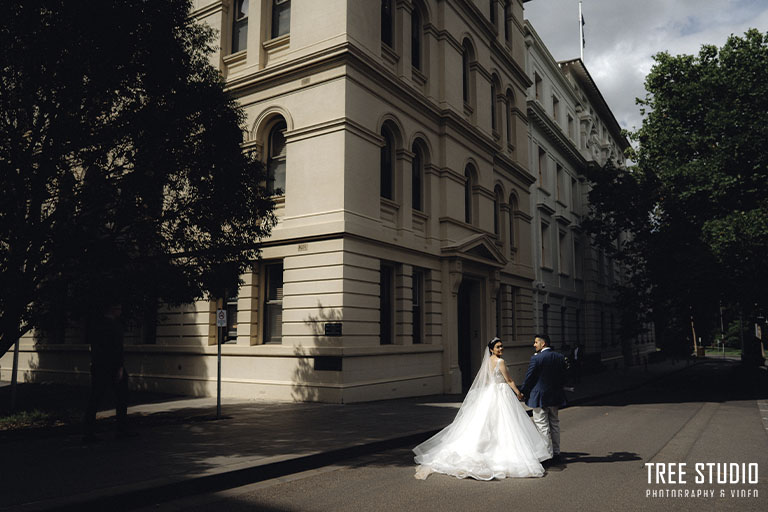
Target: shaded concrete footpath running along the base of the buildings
<point>181,449</point>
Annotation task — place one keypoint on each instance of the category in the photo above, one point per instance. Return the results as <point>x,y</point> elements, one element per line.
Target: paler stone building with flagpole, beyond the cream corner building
<point>570,124</point>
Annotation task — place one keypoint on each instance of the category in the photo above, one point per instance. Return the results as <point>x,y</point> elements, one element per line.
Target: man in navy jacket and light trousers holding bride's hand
<point>543,389</point>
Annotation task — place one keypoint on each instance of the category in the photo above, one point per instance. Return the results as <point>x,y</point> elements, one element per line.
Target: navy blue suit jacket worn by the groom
<point>544,381</point>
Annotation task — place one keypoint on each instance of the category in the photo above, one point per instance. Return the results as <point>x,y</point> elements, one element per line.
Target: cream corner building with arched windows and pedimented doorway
<point>398,137</point>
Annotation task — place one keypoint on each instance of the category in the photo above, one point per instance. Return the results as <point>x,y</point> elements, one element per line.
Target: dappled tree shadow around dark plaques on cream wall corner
<point>312,370</point>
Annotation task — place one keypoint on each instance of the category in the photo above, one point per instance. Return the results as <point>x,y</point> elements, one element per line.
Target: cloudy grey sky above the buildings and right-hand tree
<point>623,35</point>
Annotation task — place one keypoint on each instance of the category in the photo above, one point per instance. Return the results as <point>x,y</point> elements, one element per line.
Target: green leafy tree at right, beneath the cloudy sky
<point>696,202</point>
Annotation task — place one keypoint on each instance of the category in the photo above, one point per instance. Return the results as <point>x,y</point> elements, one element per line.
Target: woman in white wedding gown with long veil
<point>491,436</point>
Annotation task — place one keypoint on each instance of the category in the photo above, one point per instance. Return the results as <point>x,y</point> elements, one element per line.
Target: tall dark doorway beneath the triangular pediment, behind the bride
<point>468,315</point>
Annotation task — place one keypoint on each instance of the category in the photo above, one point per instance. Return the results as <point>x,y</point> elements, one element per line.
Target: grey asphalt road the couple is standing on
<point>710,413</point>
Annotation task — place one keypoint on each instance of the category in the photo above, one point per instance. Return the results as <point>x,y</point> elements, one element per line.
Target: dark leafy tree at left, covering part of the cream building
<point>122,179</point>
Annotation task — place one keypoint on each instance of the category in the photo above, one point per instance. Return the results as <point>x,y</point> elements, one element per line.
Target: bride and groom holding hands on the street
<point>492,436</point>
